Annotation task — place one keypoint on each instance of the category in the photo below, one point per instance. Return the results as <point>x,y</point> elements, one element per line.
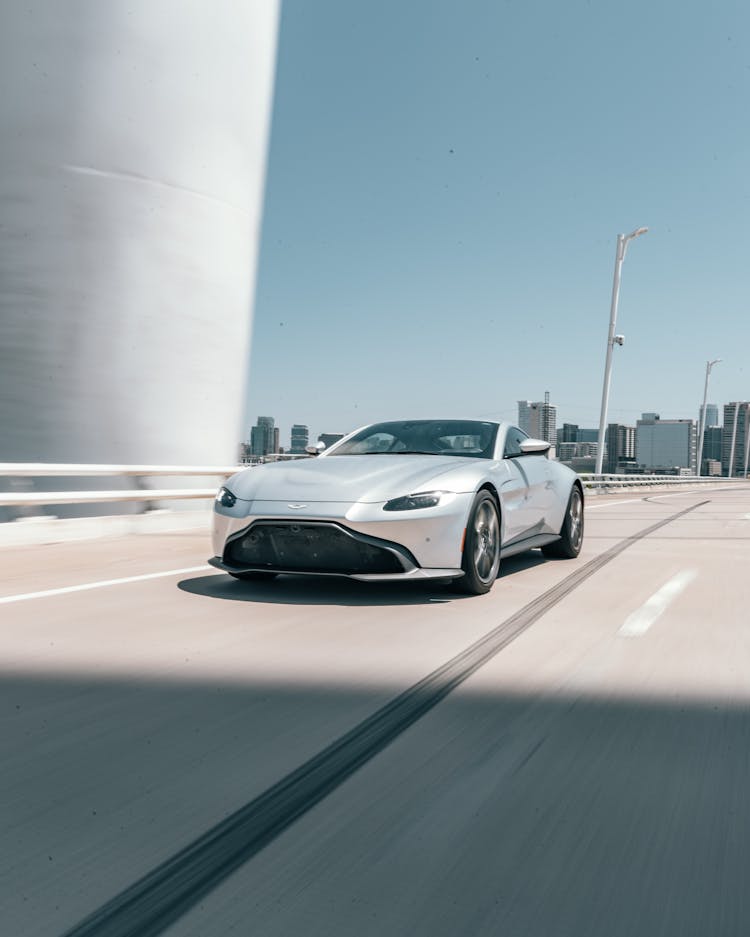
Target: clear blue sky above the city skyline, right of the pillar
<point>445,185</point>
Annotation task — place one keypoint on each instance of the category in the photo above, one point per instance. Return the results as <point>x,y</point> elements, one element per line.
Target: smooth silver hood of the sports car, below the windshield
<point>368,478</point>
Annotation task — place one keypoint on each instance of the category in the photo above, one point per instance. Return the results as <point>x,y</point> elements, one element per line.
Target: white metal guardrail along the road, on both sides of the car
<point>28,470</point>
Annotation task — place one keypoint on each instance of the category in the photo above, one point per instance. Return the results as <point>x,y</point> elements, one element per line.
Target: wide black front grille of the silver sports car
<point>310,548</point>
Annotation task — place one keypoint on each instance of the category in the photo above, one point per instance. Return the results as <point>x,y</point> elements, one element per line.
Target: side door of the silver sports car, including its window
<point>525,491</point>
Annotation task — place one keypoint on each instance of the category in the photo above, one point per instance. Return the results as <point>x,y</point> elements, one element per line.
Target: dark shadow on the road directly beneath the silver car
<point>320,590</point>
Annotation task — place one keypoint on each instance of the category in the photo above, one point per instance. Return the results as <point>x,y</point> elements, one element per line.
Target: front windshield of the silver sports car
<point>465,438</point>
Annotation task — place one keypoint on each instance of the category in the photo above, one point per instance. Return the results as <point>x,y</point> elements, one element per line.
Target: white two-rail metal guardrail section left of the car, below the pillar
<point>28,470</point>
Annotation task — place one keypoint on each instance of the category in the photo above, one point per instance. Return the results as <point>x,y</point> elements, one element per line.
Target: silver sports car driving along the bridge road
<point>412,499</point>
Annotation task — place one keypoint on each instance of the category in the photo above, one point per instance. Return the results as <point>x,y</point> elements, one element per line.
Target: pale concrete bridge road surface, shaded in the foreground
<point>590,778</point>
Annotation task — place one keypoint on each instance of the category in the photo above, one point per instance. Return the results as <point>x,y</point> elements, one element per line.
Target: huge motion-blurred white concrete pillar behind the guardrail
<point>132,163</point>
